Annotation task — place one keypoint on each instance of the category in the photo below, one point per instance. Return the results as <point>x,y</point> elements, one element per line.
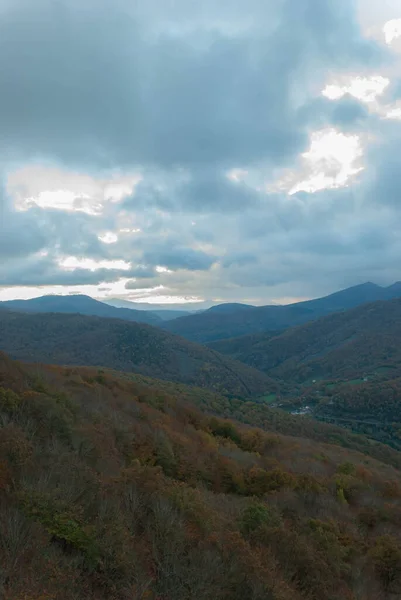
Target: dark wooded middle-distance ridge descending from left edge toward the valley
<point>81,340</point>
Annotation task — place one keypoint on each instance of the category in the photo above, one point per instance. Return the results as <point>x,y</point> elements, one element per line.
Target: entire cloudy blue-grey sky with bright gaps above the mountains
<point>177,150</point>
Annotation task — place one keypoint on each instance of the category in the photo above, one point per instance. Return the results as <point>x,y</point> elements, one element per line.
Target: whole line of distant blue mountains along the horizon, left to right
<point>221,321</point>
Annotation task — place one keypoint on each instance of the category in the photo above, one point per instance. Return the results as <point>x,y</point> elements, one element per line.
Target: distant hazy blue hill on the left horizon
<point>80,304</point>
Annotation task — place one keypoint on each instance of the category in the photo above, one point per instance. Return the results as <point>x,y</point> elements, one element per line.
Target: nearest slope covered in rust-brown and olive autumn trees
<point>114,490</point>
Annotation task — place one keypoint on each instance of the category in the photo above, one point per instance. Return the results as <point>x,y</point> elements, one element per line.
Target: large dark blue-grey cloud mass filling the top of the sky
<point>97,82</point>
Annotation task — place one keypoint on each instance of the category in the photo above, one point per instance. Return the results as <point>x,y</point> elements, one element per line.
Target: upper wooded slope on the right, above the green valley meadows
<point>347,344</point>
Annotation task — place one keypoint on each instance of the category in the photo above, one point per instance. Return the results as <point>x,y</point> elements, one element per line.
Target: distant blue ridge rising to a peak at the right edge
<point>215,324</point>
